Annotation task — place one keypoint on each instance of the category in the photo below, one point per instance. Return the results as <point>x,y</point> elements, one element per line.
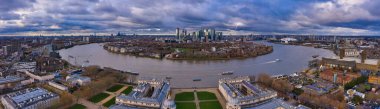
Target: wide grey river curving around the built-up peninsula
<point>292,59</point>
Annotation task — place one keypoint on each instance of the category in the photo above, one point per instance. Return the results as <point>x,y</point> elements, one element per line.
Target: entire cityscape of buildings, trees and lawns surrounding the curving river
<point>34,75</point>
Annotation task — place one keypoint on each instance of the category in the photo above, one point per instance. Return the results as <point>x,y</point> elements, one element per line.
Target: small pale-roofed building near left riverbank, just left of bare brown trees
<point>77,79</point>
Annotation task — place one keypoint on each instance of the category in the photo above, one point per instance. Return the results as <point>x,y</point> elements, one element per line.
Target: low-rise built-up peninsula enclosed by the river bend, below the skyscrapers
<point>190,51</point>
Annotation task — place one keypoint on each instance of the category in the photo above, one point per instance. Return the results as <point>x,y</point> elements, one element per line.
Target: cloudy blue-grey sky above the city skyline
<point>327,17</point>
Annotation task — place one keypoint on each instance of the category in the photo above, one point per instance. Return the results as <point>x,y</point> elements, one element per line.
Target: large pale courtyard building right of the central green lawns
<point>240,93</point>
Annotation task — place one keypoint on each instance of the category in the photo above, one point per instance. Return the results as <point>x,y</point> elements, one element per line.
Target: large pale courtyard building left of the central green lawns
<point>147,94</point>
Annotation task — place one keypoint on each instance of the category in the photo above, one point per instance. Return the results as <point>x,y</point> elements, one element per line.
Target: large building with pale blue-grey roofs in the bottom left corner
<point>31,98</point>
